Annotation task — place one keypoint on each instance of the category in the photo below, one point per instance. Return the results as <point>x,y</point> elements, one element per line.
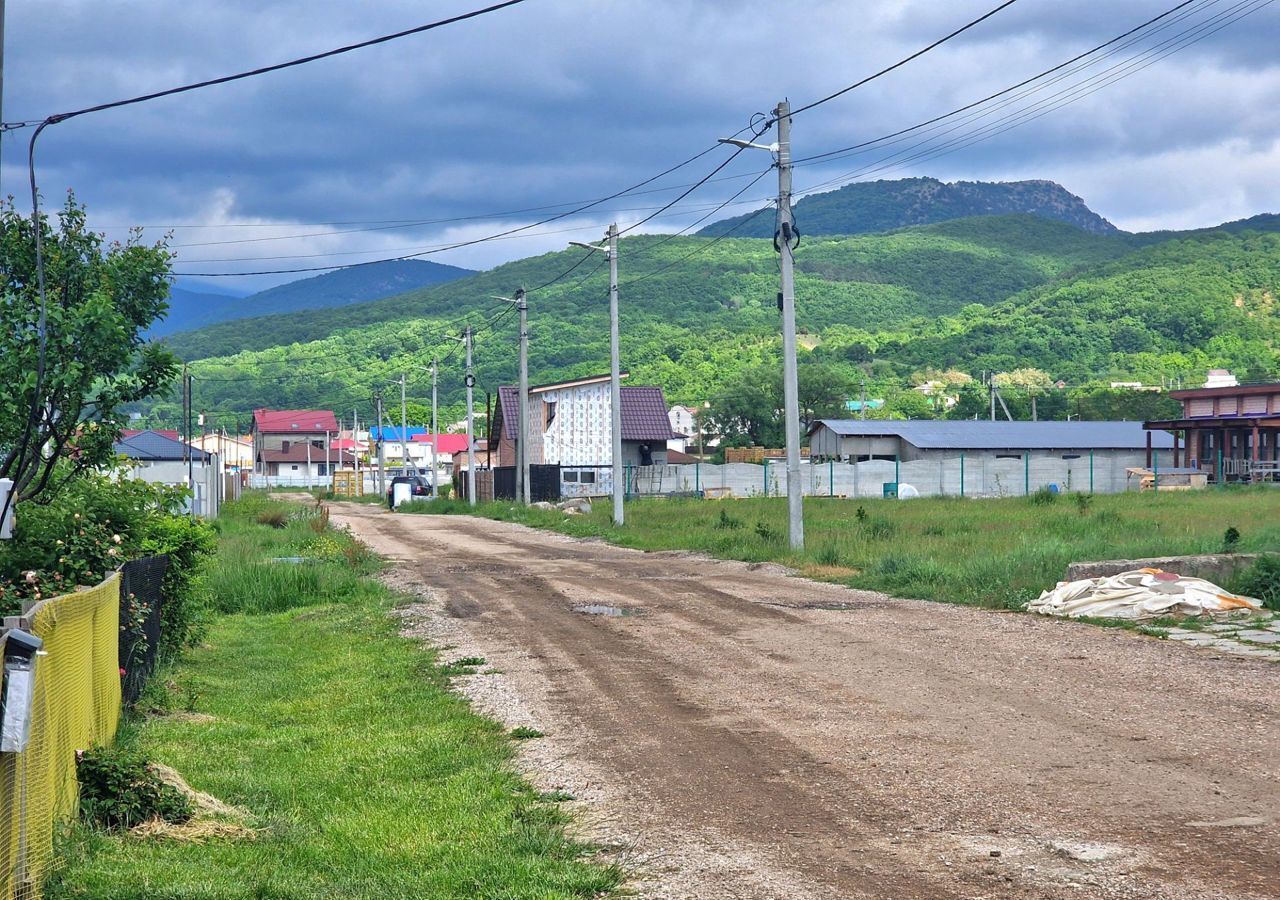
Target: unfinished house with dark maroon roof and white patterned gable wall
<point>570,426</point>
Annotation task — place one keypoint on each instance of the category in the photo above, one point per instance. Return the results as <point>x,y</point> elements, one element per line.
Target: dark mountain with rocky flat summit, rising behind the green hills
<point>883,207</point>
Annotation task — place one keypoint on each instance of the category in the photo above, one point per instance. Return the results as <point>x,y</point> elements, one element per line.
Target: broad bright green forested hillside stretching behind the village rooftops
<point>991,294</point>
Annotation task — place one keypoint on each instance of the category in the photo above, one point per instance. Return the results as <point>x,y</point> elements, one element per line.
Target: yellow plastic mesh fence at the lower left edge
<point>77,705</point>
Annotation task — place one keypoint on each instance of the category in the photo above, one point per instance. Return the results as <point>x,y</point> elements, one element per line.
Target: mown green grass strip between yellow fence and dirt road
<point>363,775</point>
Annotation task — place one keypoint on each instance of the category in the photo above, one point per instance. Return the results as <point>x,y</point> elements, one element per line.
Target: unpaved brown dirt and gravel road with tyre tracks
<point>748,734</point>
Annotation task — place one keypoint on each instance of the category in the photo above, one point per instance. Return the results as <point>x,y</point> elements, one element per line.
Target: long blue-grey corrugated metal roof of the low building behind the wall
<point>970,435</point>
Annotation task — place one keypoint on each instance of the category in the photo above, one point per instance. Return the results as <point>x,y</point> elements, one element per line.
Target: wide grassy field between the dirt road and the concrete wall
<point>996,554</point>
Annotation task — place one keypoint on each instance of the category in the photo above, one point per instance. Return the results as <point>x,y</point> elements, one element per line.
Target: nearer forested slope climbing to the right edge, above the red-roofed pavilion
<point>1168,310</point>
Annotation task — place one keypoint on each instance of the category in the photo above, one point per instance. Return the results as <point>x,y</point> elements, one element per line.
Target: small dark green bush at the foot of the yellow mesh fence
<point>120,789</point>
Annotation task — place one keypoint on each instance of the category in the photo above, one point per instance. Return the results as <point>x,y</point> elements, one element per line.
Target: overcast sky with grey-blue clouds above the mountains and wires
<point>458,134</point>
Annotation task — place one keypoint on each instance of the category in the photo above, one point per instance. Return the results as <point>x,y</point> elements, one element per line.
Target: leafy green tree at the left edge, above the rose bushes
<point>99,304</point>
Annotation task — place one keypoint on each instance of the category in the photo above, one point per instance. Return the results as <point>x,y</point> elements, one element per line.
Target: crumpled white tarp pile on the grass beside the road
<point>1145,593</point>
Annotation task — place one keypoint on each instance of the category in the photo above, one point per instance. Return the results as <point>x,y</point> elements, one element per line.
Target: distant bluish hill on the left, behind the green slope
<point>356,285</point>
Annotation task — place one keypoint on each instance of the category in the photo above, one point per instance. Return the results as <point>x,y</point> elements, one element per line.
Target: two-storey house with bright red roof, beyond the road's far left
<point>298,445</point>
